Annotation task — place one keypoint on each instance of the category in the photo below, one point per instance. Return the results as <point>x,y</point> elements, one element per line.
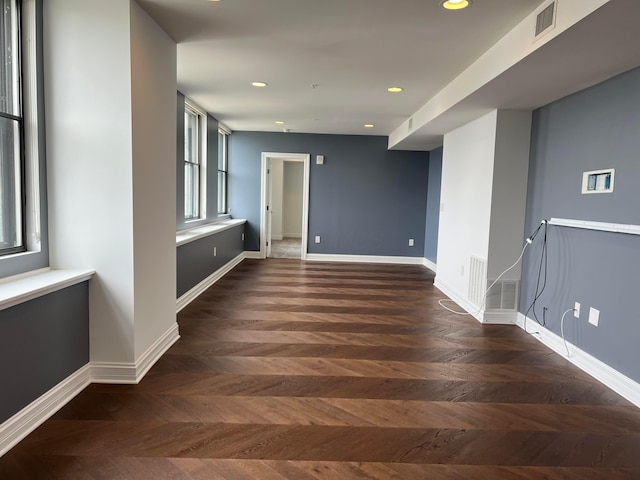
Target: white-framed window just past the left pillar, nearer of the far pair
<point>200,196</point>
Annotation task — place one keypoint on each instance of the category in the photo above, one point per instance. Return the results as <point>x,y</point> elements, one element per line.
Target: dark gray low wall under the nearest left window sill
<point>42,342</point>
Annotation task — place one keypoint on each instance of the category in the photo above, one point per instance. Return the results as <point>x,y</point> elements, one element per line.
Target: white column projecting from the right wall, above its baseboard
<point>484,189</point>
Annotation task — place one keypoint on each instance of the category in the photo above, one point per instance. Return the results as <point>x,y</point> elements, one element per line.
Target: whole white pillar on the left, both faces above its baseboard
<point>110,93</point>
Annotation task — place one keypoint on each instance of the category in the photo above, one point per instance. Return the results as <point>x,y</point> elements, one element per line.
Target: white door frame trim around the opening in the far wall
<point>264,201</point>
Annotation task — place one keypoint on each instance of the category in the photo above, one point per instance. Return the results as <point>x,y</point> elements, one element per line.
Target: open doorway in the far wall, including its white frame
<point>285,205</point>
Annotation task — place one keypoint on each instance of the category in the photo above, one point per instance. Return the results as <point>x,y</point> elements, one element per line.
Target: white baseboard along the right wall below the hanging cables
<point>616,381</point>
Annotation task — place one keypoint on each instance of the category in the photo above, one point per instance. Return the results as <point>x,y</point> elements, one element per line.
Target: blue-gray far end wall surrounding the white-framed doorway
<point>364,200</point>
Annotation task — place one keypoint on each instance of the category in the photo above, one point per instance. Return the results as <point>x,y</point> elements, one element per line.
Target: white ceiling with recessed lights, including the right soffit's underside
<point>352,50</point>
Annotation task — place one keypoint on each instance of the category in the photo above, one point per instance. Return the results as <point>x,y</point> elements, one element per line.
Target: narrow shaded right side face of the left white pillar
<point>153,86</point>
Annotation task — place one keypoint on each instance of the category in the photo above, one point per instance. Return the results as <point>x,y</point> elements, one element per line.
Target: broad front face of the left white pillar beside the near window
<point>89,175</point>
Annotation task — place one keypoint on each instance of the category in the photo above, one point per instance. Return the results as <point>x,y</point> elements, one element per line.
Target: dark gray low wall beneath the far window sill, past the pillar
<point>196,261</point>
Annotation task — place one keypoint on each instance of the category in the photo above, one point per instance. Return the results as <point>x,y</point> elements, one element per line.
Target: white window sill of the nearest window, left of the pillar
<point>22,288</point>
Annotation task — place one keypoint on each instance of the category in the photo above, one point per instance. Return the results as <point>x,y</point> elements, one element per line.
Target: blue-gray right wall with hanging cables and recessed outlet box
<point>596,128</point>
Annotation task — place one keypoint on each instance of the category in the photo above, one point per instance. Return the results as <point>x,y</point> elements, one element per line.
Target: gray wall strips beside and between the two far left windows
<point>212,169</point>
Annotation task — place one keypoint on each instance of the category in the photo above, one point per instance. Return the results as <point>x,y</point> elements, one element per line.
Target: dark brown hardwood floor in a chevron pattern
<point>292,370</point>
